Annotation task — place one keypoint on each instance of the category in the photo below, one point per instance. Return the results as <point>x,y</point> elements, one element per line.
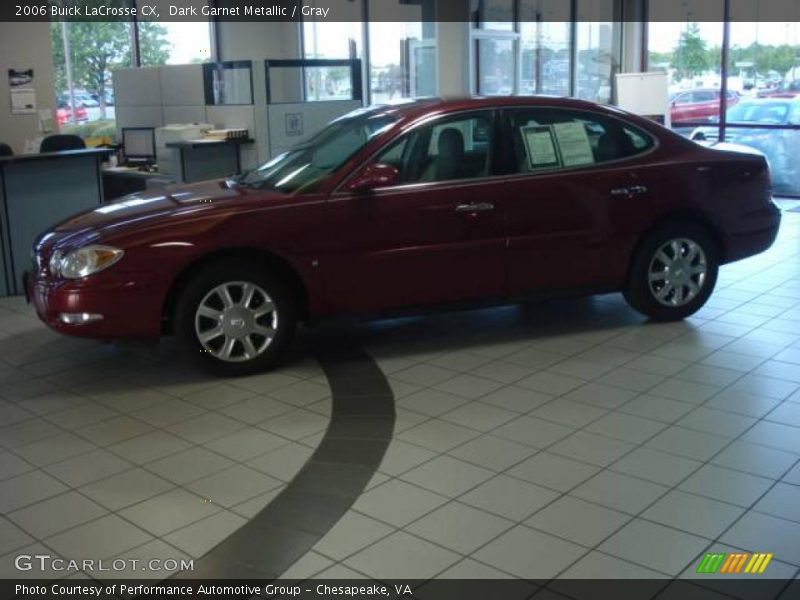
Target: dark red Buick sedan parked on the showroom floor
<point>434,202</point>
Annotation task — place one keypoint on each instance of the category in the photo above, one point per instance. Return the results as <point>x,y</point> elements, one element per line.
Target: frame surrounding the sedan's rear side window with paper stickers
<point>508,147</point>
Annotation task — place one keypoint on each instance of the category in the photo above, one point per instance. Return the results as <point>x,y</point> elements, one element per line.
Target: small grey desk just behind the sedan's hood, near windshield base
<point>199,160</point>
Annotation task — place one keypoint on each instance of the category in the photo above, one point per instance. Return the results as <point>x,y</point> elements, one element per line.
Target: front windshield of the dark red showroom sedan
<point>306,166</point>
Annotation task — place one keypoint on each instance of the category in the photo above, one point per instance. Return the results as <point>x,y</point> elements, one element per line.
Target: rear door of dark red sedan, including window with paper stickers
<point>576,198</point>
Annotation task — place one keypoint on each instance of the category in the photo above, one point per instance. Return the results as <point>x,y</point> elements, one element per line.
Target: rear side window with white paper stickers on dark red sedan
<point>546,139</point>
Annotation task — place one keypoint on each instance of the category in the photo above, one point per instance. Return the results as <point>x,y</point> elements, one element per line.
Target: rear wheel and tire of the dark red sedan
<point>691,278</point>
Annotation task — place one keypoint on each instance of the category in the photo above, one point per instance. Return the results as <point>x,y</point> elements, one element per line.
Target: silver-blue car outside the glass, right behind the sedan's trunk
<point>778,141</point>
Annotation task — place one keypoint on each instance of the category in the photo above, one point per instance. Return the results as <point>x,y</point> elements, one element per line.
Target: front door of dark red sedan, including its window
<point>433,236</point>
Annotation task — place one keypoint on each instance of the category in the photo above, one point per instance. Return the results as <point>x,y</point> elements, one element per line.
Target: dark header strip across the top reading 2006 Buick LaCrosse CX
<point>379,11</point>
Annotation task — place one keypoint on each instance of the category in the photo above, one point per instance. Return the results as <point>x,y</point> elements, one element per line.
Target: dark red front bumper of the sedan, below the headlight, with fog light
<point>125,308</point>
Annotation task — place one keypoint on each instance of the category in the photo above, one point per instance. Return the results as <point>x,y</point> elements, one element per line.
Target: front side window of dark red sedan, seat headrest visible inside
<point>451,149</point>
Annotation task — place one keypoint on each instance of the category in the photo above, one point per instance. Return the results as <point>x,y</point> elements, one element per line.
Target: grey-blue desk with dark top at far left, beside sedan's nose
<point>36,192</point>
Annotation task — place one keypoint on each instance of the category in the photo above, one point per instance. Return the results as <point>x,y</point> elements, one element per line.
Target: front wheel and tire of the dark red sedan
<point>231,335</point>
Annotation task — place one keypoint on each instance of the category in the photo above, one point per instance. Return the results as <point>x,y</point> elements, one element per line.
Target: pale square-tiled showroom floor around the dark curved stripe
<point>568,439</point>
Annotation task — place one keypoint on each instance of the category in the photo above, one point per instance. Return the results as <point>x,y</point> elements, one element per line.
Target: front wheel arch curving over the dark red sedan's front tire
<point>270,261</point>
